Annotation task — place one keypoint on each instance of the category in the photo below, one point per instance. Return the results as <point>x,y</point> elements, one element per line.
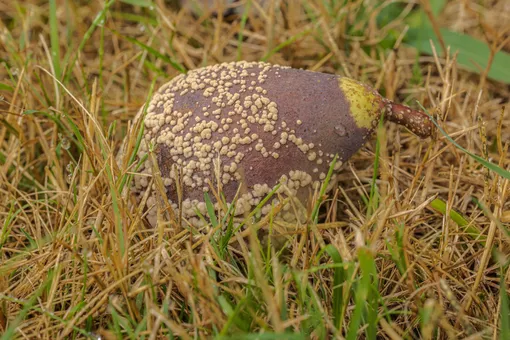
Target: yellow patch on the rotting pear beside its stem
<point>364,103</point>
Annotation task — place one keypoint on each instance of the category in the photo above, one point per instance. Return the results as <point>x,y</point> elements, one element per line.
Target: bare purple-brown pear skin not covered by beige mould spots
<point>301,95</point>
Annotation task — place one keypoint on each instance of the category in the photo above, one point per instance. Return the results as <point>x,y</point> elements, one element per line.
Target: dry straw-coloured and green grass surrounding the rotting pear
<point>412,243</point>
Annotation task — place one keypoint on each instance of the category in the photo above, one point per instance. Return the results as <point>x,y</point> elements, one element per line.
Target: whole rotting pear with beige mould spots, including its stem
<point>258,124</point>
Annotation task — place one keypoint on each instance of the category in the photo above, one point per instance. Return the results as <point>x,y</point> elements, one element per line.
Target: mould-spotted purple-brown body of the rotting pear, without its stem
<point>311,106</point>
